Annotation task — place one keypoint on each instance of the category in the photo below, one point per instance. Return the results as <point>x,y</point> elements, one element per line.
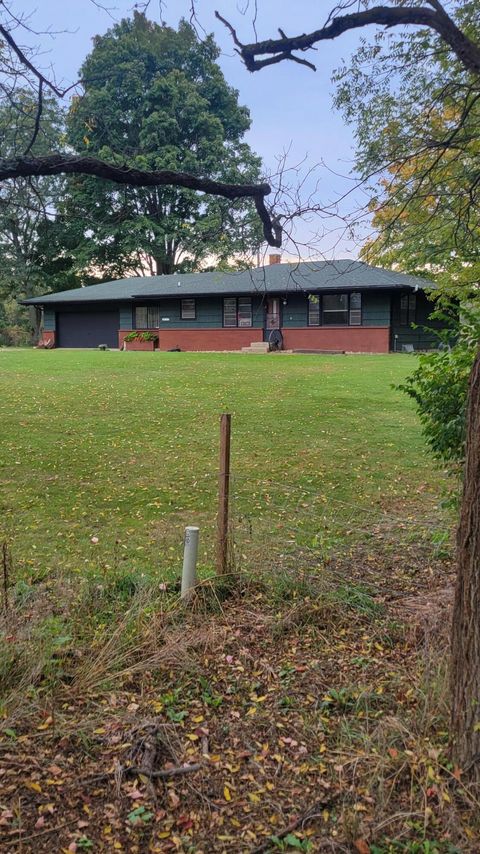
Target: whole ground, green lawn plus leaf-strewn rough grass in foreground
<point>306,693</point>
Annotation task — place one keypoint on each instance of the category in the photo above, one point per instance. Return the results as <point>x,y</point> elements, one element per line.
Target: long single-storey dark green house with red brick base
<point>326,306</point>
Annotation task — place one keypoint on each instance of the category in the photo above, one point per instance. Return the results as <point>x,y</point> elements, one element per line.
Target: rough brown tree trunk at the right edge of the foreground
<point>465,723</point>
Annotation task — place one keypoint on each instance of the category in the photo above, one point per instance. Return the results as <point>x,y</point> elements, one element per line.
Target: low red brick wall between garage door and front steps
<point>202,339</point>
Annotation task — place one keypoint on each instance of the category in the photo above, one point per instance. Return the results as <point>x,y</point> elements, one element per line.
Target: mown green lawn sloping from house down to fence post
<point>123,447</point>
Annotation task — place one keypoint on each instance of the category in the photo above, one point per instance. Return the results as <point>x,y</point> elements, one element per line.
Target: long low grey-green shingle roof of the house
<point>276,278</point>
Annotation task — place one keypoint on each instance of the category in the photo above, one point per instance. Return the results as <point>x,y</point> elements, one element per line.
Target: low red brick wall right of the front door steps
<point>358,339</point>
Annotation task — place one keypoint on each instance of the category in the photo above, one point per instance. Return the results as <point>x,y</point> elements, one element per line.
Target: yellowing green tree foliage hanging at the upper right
<point>416,111</point>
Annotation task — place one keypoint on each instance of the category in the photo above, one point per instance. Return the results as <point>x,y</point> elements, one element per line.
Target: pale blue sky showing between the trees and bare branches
<point>290,106</point>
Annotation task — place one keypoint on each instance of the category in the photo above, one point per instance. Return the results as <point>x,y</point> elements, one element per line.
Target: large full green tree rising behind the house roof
<point>155,98</point>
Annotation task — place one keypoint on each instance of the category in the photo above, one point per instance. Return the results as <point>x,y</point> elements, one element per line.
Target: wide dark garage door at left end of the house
<point>87,328</point>
